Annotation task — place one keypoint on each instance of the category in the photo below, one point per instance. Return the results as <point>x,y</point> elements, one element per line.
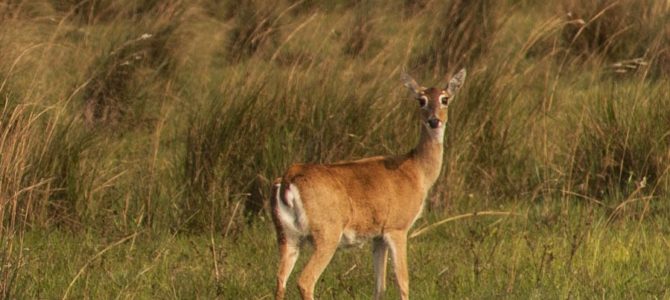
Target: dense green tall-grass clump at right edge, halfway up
<point>620,144</point>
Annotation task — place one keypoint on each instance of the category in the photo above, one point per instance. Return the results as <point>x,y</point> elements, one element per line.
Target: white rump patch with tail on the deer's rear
<point>290,210</point>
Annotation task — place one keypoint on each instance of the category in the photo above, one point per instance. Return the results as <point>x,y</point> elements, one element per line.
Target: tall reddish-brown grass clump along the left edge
<point>42,180</point>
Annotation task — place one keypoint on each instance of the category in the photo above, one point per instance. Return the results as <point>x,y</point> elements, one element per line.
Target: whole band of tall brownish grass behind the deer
<point>157,114</point>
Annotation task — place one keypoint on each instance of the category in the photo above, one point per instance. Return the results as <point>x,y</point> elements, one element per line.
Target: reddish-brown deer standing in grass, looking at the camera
<point>375,199</point>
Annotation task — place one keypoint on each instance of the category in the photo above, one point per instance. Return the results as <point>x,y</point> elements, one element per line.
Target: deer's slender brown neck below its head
<point>428,155</point>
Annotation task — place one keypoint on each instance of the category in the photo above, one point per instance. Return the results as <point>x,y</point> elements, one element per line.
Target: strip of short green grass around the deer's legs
<point>539,253</point>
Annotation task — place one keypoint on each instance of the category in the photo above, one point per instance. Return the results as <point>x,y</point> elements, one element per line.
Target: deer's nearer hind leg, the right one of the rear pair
<point>325,245</point>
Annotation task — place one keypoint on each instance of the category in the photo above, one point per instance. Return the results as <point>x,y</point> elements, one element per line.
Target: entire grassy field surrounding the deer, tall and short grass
<point>138,140</point>
